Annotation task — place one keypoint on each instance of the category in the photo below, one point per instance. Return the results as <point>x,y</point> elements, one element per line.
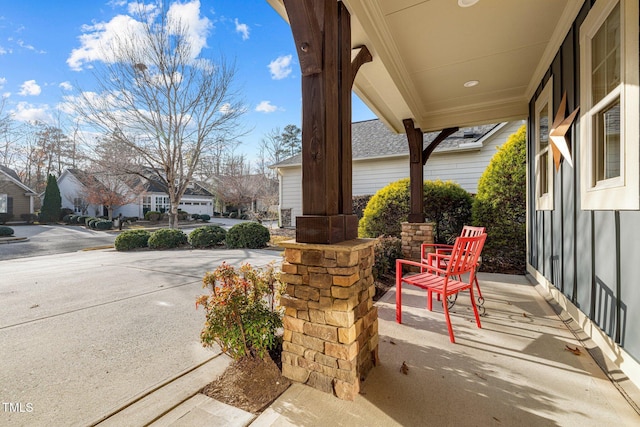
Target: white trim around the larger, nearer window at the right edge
<point>623,192</point>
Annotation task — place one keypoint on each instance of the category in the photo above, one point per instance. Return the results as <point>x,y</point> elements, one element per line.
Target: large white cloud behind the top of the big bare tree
<point>99,40</point>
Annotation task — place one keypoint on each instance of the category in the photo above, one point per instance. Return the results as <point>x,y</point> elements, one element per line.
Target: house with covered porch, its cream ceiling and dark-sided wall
<point>583,215</point>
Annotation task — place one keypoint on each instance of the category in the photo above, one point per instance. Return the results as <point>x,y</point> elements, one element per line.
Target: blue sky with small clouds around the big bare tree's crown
<point>46,48</point>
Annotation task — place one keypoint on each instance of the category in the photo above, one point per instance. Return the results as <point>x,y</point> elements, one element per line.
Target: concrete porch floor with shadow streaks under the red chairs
<point>516,370</point>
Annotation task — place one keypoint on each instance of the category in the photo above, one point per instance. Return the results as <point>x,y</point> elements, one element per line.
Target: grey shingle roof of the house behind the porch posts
<point>372,139</point>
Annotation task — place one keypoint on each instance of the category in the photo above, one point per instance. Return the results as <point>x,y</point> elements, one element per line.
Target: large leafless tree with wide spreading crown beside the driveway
<point>161,100</point>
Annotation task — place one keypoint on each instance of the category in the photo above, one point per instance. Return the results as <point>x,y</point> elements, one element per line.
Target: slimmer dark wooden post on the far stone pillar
<point>415,138</point>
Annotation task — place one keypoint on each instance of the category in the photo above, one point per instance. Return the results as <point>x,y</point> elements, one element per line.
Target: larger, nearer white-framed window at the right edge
<point>609,105</point>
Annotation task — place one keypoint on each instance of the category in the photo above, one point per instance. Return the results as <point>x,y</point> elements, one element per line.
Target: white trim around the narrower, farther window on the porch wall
<point>544,201</point>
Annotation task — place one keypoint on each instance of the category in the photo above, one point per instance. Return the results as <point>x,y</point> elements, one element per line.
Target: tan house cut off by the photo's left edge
<point>16,199</point>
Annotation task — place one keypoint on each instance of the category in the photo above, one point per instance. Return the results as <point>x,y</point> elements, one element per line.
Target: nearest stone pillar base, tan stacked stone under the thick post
<point>330,322</point>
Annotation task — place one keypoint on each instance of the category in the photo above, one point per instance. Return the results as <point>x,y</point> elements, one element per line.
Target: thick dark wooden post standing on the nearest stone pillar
<point>322,33</point>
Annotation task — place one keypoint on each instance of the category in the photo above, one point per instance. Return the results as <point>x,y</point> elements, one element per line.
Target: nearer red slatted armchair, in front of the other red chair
<point>446,281</point>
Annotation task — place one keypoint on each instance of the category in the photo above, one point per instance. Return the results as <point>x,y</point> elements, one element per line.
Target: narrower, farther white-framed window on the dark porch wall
<point>544,159</point>
